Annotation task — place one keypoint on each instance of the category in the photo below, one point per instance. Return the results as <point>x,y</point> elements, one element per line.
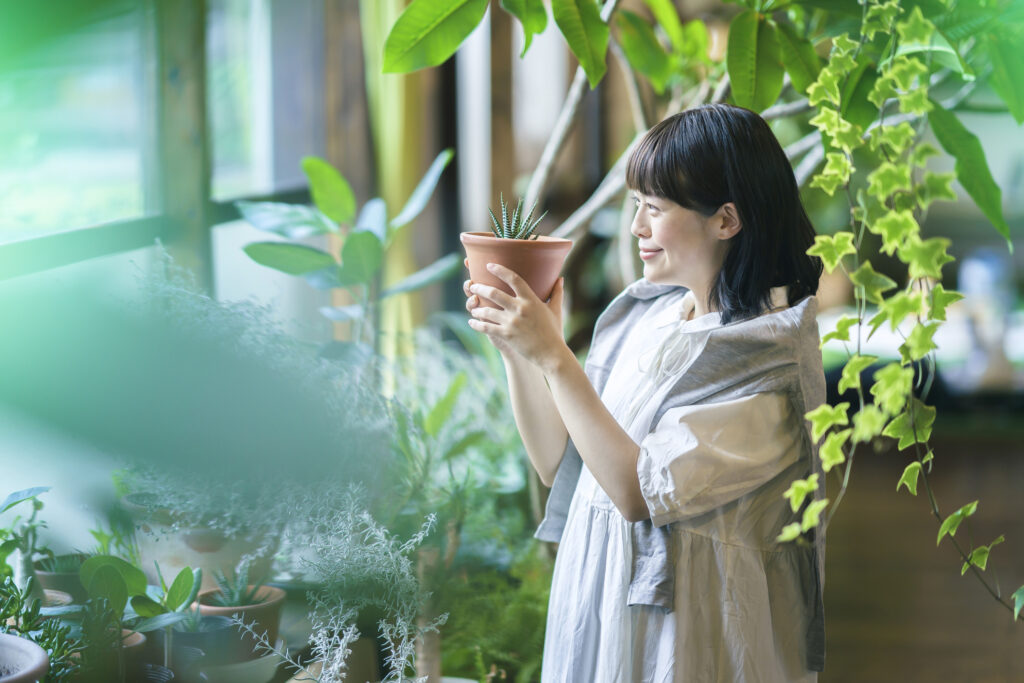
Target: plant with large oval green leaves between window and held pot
<point>366,238</point>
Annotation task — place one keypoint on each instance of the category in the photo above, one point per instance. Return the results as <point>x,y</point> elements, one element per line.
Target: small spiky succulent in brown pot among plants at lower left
<point>254,604</point>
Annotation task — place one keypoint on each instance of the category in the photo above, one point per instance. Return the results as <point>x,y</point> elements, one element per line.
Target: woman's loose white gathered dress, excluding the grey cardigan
<point>717,474</point>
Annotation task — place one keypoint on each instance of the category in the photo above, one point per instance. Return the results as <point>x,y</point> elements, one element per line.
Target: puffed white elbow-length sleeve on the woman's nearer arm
<point>702,457</point>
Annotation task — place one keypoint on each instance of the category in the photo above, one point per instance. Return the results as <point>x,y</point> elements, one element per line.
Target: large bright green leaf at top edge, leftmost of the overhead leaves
<point>429,32</point>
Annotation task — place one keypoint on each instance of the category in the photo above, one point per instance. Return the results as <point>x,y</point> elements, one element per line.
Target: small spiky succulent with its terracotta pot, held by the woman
<point>515,244</point>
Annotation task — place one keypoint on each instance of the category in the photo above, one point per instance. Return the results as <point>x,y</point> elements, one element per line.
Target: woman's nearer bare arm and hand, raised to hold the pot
<point>529,327</point>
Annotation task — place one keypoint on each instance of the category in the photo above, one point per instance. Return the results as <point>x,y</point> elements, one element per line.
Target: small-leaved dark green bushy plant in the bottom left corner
<point>22,615</point>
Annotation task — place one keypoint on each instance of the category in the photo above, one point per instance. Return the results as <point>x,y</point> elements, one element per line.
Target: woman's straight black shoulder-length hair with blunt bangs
<point>706,157</point>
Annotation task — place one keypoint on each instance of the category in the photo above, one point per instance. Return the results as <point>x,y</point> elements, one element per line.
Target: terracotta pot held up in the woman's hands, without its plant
<point>538,262</point>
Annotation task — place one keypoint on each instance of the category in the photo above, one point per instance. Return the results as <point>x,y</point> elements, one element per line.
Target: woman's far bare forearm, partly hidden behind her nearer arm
<point>537,417</point>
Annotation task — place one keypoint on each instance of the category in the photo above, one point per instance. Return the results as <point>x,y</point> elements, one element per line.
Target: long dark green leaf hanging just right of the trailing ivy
<point>972,168</point>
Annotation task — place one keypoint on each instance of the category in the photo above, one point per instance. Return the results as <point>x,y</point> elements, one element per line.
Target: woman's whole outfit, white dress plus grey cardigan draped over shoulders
<point>703,592</point>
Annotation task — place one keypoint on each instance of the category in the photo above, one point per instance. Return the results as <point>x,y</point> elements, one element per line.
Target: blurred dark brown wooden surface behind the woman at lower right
<point>897,607</point>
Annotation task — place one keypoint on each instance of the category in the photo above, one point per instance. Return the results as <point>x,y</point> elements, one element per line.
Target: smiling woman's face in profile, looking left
<point>679,246</point>
